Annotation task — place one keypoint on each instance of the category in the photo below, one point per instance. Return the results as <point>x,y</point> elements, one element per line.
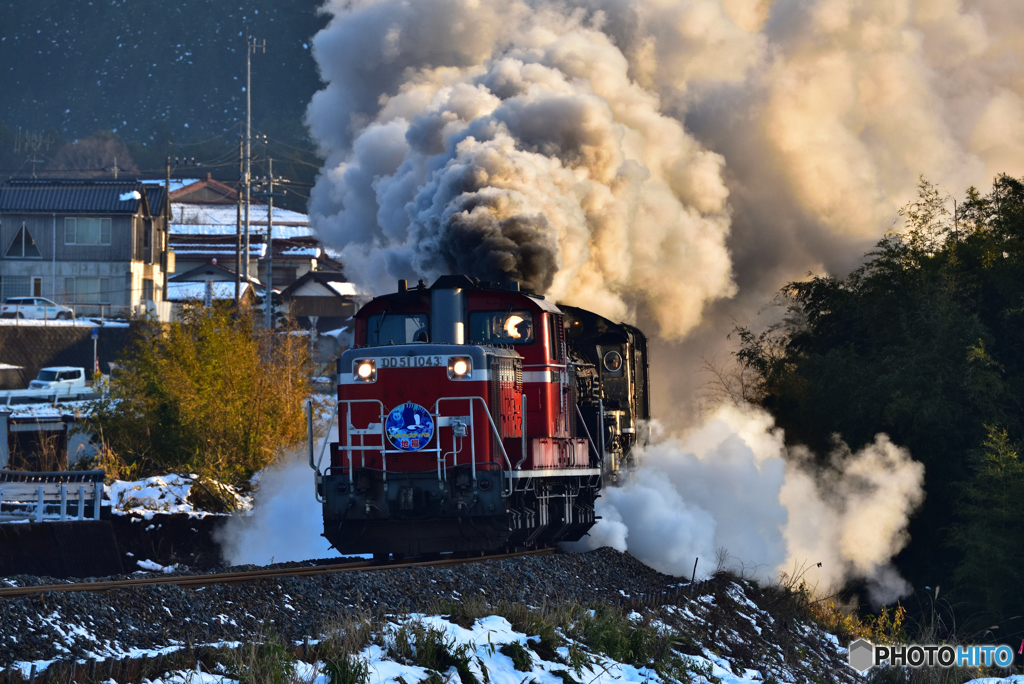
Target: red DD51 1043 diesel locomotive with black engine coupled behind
<point>475,417</point>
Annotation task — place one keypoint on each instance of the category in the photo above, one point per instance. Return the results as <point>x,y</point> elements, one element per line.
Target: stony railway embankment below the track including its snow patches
<point>741,631</point>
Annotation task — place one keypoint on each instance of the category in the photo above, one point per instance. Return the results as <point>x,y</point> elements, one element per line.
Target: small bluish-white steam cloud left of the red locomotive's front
<point>286,523</point>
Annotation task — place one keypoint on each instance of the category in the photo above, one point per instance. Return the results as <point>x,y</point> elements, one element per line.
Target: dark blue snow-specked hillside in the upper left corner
<point>154,72</point>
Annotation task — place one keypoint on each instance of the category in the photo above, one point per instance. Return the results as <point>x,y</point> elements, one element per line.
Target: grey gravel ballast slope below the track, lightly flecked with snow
<point>116,624</point>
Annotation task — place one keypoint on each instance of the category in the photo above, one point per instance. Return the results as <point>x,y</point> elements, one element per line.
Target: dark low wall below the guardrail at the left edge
<point>73,549</point>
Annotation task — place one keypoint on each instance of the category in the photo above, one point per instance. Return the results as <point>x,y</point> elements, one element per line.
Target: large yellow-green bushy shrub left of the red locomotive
<point>209,395</point>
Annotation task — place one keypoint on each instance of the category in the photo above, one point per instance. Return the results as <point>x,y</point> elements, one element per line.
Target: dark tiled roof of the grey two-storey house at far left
<point>79,196</point>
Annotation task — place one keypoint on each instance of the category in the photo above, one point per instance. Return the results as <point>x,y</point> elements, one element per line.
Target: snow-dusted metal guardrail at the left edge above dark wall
<point>31,495</point>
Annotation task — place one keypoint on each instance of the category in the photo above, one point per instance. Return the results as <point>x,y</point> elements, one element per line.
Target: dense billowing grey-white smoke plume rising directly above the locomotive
<point>514,145</point>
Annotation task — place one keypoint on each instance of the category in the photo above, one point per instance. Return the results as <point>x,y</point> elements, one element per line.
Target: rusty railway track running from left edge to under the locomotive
<point>197,581</point>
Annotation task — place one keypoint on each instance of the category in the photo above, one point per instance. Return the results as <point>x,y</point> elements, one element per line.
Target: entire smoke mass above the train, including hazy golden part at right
<point>651,156</point>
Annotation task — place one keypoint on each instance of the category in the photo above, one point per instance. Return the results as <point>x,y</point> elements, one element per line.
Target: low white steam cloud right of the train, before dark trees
<point>733,485</point>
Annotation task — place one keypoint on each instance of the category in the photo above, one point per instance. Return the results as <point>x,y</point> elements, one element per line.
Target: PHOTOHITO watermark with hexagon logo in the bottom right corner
<point>865,656</point>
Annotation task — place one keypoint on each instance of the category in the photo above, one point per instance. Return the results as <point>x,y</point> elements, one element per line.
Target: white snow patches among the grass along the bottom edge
<point>483,643</point>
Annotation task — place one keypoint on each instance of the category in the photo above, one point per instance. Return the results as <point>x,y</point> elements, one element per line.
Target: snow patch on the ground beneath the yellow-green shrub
<point>164,494</point>
